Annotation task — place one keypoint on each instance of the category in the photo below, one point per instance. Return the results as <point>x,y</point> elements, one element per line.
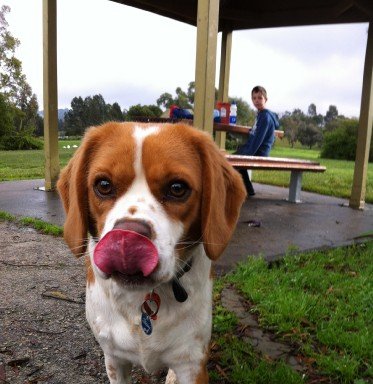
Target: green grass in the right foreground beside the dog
<point>320,301</point>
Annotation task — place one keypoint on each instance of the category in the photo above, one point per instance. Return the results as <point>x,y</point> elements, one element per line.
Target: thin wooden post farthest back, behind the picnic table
<point>225,67</point>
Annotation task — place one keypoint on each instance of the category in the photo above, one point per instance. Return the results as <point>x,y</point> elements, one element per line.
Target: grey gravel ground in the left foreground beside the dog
<point>44,337</point>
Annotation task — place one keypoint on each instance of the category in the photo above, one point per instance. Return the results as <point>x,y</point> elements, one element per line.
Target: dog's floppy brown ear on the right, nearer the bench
<point>223,194</point>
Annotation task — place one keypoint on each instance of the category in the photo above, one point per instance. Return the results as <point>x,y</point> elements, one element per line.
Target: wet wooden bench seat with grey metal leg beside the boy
<point>295,166</point>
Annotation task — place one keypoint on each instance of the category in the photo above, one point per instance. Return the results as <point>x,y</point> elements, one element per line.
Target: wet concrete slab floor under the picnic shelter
<point>318,222</point>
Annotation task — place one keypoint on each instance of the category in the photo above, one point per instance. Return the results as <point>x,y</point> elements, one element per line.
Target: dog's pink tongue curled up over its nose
<point>126,252</point>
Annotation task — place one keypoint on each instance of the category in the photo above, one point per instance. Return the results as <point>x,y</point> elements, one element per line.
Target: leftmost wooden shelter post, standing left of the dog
<point>52,167</point>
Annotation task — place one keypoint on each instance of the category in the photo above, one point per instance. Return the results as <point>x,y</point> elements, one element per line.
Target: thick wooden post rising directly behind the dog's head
<point>207,33</point>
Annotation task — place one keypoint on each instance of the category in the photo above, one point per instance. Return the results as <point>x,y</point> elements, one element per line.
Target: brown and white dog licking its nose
<point>153,205</point>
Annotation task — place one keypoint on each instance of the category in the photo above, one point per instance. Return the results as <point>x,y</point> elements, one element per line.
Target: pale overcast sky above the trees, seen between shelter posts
<point>131,57</point>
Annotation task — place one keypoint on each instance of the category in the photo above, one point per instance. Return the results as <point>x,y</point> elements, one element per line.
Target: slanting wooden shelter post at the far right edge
<point>357,199</point>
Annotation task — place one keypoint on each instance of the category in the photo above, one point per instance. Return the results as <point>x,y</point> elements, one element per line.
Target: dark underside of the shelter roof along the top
<point>248,14</point>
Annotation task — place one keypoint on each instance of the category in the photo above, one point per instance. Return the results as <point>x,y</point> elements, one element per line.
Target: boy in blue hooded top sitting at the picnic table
<point>262,135</point>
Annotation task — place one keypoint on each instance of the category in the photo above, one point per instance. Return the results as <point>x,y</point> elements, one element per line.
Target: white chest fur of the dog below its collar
<point>115,318</point>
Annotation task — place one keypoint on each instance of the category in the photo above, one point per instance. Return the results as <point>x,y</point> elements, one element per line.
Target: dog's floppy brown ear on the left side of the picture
<point>72,187</point>
